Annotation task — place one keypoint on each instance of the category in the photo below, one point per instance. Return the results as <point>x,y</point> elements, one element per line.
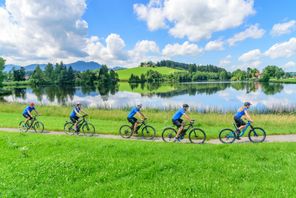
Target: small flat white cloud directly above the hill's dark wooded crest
<point>171,50</point>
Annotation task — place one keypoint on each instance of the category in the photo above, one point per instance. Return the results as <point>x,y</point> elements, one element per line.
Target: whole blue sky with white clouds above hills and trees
<point>234,34</point>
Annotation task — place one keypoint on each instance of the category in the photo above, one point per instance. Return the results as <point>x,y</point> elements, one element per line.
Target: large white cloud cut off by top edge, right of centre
<point>194,19</point>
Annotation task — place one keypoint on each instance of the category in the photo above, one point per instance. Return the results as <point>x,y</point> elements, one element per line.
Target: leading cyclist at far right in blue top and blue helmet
<point>242,112</point>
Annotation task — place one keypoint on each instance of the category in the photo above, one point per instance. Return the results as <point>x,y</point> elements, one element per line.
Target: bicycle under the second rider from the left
<point>87,128</point>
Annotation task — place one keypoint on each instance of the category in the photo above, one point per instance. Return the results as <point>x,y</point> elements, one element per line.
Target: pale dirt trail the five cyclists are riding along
<point>270,138</point>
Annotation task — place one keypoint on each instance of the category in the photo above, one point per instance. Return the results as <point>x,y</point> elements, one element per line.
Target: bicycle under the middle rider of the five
<point>148,132</point>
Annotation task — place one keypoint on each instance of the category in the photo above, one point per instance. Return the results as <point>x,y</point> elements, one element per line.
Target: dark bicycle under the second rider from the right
<point>196,135</point>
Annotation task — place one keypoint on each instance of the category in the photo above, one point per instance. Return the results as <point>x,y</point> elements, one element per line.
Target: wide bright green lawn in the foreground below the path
<point>33,165</point>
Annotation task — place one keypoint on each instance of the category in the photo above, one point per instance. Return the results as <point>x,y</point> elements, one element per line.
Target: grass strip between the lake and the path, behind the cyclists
<point>109,121</point>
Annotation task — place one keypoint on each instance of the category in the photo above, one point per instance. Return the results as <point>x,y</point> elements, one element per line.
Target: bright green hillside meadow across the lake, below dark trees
<point>125,74</point>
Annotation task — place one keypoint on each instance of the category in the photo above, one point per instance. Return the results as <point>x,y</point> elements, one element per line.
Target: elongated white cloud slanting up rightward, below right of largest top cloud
<point>253,32</point>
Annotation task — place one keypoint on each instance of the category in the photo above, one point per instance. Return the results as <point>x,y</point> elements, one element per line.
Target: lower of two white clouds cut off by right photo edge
<point>284,49</point>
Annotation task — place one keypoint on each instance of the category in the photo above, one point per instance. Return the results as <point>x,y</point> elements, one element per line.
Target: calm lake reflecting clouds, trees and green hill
<point>200,96</point>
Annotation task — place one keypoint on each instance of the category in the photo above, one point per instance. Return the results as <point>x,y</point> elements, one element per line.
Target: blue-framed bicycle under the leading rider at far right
<point>255,135</point>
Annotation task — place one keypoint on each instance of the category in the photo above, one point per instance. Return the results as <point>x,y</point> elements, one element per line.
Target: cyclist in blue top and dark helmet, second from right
<point>177,121</point>
